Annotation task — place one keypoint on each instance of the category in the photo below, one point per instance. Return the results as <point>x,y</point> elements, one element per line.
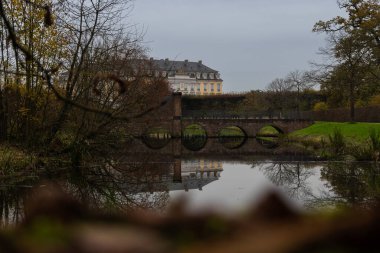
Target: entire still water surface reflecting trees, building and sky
<point>228,186</point>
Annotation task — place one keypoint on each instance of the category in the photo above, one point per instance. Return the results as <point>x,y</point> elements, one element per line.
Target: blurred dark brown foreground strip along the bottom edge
<point>55,222</point>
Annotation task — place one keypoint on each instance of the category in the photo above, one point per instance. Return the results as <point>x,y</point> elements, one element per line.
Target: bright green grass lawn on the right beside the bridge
<point>354,131</point>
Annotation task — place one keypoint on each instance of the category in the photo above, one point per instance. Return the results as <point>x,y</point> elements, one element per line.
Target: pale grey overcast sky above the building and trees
<point>250,42</point>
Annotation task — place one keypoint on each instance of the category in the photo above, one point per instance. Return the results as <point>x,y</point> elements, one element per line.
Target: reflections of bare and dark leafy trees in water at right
<point>346,184</point>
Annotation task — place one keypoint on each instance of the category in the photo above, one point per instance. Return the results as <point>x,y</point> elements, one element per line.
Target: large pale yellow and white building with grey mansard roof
<point>190,78</point>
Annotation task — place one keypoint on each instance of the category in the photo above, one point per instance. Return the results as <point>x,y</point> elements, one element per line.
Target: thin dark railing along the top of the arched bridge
<point>221,114</point>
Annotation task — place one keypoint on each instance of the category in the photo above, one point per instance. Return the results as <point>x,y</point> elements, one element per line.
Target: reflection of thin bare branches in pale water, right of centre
<point>292,177</point>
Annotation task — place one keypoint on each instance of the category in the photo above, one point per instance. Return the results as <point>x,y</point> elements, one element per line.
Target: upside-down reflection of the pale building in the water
<point>197,174</point>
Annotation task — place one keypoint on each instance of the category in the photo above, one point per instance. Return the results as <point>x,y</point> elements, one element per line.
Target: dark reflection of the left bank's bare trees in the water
<point>109,188</point>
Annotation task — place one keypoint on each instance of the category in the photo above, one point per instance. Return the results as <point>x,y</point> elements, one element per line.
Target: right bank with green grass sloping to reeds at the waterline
<point>341,141</point>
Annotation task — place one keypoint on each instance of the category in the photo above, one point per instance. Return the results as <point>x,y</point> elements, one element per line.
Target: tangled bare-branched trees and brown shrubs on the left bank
<point>93,76</point>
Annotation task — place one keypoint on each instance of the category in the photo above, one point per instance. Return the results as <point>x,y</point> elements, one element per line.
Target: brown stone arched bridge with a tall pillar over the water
<point>174,123</point>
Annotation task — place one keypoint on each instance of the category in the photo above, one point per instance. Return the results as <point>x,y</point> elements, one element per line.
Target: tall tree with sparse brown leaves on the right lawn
<point>354,46</point>
